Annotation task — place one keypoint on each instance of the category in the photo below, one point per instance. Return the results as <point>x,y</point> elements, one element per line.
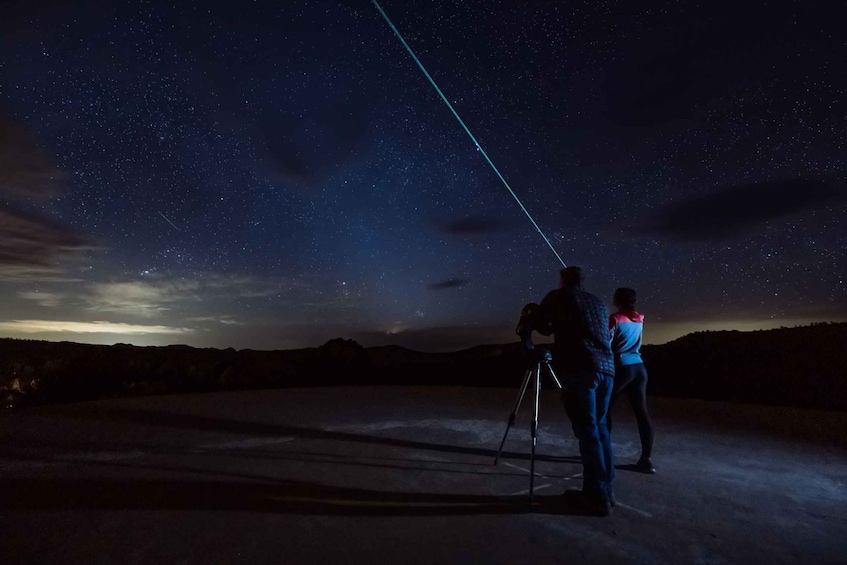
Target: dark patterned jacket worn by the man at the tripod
<point>579,322</point>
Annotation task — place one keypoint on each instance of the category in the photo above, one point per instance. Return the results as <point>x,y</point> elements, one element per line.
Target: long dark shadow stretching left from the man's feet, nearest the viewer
<point>285,497</point>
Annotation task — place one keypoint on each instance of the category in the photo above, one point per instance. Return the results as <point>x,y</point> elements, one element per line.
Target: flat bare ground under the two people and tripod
<point>408,475</point>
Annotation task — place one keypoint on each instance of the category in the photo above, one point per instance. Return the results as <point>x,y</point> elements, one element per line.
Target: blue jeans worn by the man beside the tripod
<point>586,396</point>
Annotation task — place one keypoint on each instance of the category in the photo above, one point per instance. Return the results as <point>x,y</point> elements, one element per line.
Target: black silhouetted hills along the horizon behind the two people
<point>799,367</point>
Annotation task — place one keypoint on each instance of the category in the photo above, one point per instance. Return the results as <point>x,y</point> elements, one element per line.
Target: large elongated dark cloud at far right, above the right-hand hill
<point>735,210</point>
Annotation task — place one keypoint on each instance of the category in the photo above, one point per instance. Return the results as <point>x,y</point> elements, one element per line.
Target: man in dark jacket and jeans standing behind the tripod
<point>582,355</point>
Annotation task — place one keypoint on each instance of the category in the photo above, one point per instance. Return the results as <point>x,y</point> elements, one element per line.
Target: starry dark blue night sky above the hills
<point>273,175</point>
